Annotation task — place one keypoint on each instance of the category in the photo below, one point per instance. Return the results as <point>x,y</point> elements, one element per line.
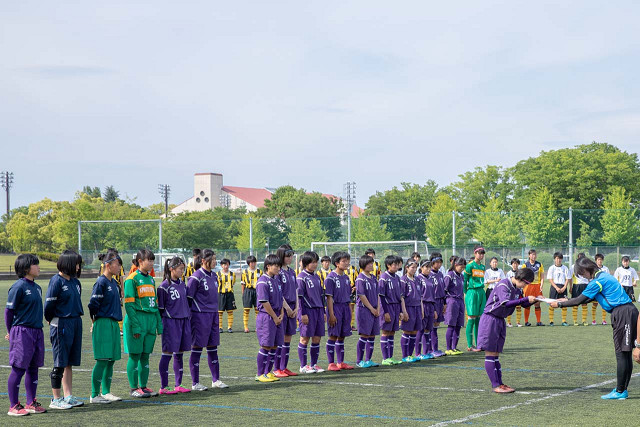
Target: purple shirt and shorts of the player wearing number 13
<point>310,295</point>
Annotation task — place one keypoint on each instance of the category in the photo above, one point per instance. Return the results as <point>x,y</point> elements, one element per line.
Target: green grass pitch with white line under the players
<point>559,374</point>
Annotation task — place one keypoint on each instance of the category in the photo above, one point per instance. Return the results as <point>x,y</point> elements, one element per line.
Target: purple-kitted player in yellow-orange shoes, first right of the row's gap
<point>269,318</point>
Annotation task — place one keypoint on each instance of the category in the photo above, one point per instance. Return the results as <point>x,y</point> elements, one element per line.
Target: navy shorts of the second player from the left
<point>66,341</point>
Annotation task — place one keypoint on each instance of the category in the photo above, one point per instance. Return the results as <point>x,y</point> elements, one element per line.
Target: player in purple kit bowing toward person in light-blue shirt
<point>493,332</point>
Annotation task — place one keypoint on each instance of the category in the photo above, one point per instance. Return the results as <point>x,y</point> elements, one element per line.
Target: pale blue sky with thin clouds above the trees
<point>312,94</point>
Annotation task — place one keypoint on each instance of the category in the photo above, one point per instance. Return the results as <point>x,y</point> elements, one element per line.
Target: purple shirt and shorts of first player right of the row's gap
<point>268,290</point>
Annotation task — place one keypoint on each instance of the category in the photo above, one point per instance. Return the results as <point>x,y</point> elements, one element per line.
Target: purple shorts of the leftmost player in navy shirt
<point>26,347</point>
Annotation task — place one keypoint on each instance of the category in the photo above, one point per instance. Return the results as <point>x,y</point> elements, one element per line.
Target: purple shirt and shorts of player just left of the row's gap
<point>202,291</point>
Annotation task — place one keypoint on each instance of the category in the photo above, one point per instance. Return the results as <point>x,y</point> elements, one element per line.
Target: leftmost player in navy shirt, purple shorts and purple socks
<point>23,318</point>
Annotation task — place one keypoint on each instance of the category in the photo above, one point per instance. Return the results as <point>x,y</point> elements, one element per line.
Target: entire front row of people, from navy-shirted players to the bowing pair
<point>187,317</point>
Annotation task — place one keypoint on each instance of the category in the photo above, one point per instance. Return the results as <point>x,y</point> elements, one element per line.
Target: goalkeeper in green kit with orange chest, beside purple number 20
<point>141,324</point>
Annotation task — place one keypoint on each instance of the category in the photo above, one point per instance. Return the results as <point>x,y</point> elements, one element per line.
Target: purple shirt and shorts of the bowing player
<point>502,302</point>
